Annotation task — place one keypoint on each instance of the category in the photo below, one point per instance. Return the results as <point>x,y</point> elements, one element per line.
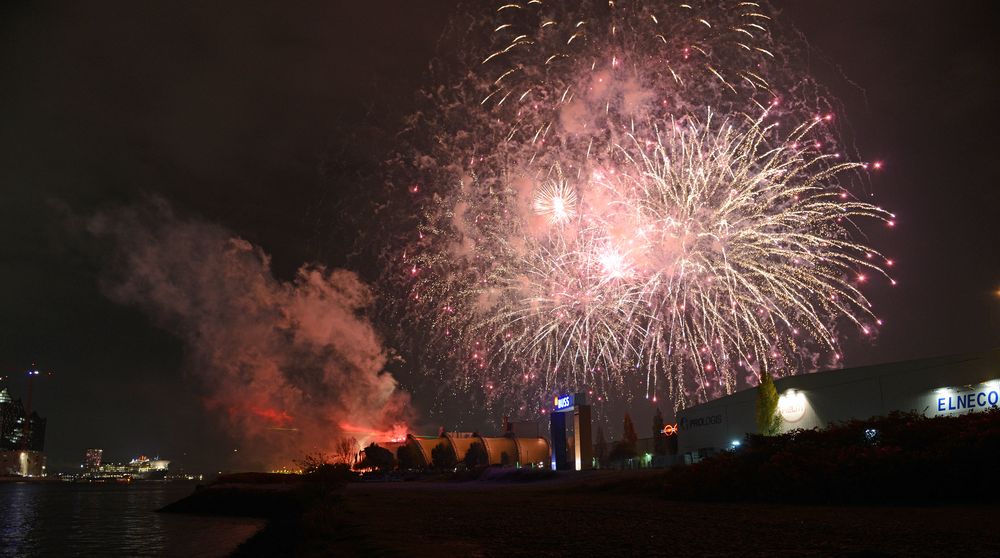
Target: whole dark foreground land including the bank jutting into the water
<point>491,518</point>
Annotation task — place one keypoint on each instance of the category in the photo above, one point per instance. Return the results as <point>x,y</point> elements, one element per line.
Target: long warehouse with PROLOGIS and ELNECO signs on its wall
<point>933,387</point>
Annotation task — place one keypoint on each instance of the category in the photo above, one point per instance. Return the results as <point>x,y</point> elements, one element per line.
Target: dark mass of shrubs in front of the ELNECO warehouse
<point>903,457</point>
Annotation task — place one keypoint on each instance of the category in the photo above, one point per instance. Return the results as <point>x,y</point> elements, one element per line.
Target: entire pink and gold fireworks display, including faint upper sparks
<point>632,197</point>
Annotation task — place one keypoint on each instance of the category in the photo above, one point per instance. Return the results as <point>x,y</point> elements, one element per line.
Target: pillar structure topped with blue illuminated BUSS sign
<point>577,454</point>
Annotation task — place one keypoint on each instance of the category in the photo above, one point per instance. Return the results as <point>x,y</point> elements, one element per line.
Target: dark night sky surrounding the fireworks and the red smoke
<point>248,116</point>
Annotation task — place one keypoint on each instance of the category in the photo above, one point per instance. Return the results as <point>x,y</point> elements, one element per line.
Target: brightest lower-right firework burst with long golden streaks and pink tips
<point>703,255</point>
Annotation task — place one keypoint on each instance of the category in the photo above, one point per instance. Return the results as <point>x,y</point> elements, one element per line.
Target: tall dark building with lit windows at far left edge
<point>20,448</point>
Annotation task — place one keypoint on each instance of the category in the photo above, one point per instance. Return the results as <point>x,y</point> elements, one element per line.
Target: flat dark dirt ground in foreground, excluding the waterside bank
<point>566,517</point>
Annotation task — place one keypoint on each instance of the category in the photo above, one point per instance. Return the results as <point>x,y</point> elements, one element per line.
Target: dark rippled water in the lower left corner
<point>66,519</point>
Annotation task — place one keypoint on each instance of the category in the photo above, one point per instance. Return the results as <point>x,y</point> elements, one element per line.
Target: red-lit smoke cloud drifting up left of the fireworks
<point>287,366</point>
